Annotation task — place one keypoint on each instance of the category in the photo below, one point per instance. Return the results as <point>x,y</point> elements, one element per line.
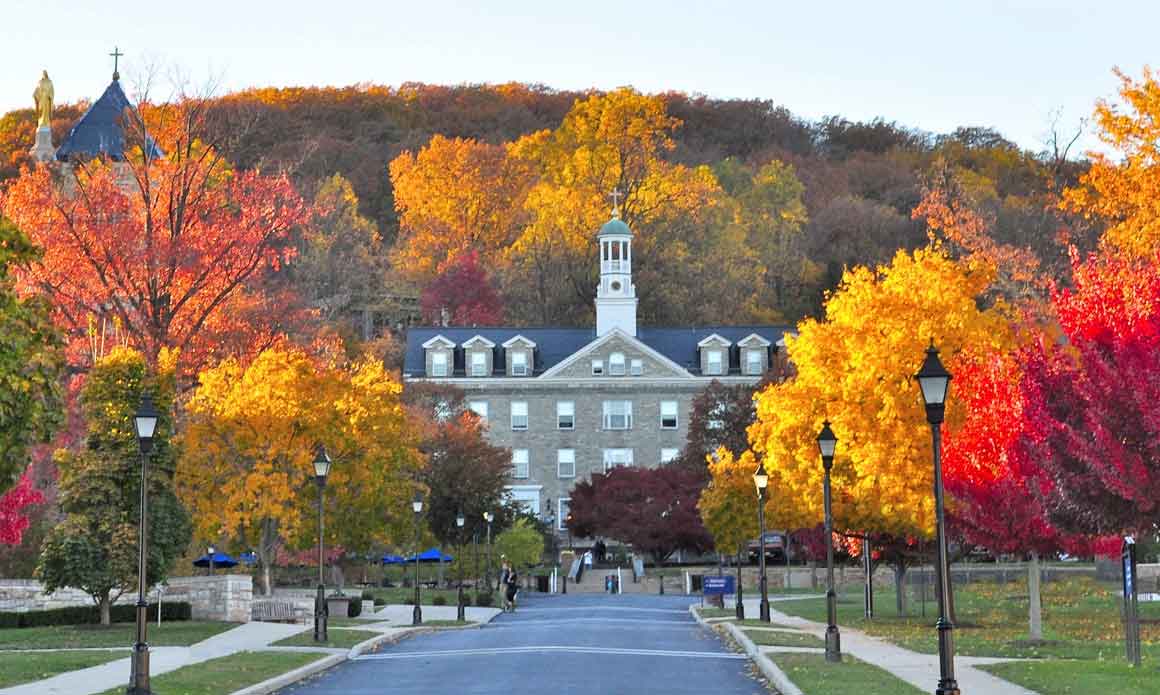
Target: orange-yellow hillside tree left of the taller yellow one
<point>453,197</point>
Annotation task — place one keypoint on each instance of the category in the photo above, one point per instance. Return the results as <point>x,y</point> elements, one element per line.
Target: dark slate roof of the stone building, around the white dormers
<point>556,345</point>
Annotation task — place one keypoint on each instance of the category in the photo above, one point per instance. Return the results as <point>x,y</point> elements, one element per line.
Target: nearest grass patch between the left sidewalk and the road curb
<point>226,675</point>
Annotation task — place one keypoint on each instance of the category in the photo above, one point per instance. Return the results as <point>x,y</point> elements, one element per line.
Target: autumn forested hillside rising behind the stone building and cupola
<point>744,211</point>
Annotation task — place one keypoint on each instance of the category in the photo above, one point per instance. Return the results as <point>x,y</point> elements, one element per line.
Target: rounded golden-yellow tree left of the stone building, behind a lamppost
<point>246,467</point>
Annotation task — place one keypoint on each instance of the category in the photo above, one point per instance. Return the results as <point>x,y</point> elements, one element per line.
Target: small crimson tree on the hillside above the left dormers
<point>465,292</point>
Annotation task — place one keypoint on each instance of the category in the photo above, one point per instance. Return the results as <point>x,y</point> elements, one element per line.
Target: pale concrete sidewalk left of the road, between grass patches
<point>163,660</point>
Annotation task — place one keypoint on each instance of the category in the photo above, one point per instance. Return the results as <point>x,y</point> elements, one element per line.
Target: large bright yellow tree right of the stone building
<point>854,368</point>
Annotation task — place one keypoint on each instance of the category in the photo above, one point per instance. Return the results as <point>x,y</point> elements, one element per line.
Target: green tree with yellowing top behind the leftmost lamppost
<point>95,548</point>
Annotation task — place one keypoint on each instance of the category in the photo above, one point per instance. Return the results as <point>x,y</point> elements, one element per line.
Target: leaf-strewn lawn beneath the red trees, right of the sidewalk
<point>1082,621</point>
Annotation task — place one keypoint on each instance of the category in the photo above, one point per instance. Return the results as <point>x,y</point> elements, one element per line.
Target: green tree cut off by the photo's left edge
<point>31,363</point>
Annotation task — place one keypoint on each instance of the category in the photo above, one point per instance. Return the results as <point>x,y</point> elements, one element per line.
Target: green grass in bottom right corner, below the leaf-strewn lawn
<point>1081,678</point>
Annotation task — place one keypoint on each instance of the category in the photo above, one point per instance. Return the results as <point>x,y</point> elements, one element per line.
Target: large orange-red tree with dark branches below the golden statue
<point>159,252</point>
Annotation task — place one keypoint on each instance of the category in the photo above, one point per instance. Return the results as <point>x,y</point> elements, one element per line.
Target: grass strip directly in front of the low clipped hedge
<point>171,634</point>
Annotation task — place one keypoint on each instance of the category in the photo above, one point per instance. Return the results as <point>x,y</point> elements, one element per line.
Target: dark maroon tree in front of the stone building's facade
<point>652,510</point>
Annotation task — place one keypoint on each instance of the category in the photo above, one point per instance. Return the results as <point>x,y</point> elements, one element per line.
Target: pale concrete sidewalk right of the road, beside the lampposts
<point>922,671</point>
